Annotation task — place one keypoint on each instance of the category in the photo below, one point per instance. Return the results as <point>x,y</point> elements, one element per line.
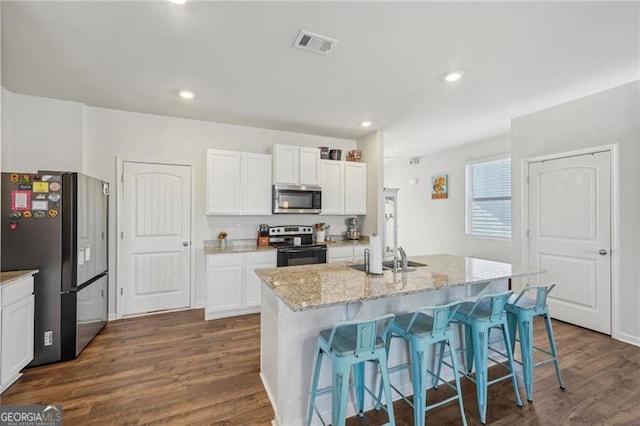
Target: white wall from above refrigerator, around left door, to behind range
<point>60,135</point>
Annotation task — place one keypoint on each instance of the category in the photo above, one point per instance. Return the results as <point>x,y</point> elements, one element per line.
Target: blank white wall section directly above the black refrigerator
<point>44,134</point>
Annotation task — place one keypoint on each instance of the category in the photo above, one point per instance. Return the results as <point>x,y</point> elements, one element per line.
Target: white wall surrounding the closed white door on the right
<point>609,117</point>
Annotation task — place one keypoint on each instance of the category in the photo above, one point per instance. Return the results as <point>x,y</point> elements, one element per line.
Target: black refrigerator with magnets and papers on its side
<point>57,222</point>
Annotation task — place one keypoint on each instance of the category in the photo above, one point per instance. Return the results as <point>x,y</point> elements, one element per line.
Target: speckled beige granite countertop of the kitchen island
<point>318,286</point>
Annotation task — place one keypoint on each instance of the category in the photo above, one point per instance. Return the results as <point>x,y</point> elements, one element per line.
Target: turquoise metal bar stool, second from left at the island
<point>425,327</point>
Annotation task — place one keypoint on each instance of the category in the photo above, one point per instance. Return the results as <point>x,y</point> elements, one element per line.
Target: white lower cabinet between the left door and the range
<point>232,287</point>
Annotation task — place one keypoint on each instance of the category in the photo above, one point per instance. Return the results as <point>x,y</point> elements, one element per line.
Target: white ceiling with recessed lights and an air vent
<point>386,67</point>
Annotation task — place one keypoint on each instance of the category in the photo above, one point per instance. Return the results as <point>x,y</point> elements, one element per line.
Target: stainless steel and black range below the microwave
<point>295,245</point>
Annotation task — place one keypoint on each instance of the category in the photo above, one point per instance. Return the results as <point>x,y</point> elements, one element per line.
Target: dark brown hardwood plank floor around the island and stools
<point>175,368</point>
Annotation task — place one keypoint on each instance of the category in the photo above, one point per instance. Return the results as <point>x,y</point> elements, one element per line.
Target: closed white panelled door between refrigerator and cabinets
<point>155,237</point>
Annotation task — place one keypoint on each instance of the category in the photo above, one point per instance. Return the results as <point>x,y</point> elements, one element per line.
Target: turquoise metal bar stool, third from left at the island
<point>479,317</point>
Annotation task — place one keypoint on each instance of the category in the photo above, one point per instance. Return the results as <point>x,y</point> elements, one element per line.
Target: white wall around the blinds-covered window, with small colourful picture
<point>427,226</point>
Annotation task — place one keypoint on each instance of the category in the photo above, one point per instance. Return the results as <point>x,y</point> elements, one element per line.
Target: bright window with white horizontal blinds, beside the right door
<point>489,198</point>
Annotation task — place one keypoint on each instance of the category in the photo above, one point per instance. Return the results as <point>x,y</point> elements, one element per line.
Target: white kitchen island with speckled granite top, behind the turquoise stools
<point>299,301</point>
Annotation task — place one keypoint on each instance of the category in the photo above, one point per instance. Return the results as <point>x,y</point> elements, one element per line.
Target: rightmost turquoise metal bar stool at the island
<point>521,311</point>
